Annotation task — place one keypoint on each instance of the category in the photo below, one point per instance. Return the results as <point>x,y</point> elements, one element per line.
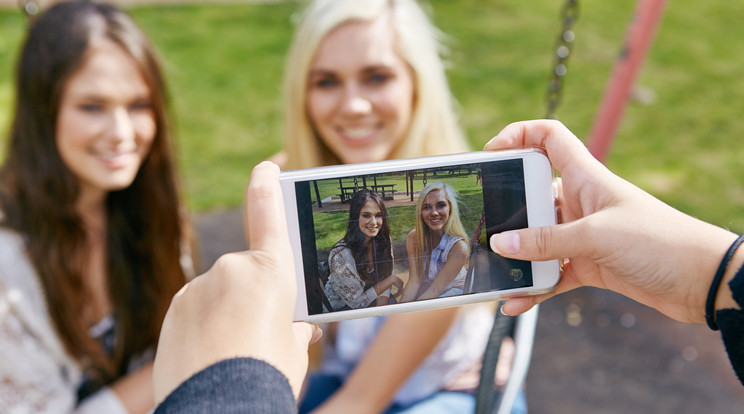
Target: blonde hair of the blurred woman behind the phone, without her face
<point>434,129</point>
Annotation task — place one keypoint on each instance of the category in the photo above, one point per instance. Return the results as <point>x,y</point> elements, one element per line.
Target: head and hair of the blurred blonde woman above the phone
<point>404,107</point>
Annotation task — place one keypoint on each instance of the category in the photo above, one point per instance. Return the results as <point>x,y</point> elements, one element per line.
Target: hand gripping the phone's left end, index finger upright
<point>243,306</point>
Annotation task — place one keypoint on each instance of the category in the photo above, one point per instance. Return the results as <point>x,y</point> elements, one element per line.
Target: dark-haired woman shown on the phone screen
<point>361,264</point>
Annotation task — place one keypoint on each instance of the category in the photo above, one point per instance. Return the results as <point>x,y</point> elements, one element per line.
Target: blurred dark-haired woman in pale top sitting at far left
<point>93,240</point>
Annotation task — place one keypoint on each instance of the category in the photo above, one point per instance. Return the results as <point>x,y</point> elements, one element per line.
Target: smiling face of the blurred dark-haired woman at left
<point>106,124</point>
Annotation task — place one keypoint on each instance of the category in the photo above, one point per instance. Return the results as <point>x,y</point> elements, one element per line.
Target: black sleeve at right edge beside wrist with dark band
<point>731,322</point>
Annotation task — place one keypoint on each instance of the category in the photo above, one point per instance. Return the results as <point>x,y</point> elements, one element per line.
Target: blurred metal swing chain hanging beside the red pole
<point>563,46</point>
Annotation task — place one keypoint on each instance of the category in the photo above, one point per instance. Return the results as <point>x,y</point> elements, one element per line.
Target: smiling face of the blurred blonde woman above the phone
<point>360,92</point>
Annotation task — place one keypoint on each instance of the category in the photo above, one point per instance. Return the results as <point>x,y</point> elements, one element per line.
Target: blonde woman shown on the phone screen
<point>437,248</point>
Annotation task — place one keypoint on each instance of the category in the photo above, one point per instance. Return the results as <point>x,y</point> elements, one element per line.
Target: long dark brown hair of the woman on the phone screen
<point>356,241</point>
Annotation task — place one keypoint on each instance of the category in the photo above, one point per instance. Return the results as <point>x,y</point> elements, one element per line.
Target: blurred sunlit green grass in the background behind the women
<point>225,64</point>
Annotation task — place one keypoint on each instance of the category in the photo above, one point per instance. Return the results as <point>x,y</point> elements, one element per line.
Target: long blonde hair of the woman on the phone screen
<point>452,227</point>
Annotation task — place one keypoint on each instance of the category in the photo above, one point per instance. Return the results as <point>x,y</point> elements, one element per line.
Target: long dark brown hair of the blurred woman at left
<point>145,225</point>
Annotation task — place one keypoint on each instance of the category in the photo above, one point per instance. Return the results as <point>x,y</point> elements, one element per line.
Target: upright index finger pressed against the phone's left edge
<point>266,227</point>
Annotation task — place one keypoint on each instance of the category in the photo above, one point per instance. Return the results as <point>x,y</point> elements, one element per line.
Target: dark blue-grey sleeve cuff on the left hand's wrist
<point>238,385</point>
